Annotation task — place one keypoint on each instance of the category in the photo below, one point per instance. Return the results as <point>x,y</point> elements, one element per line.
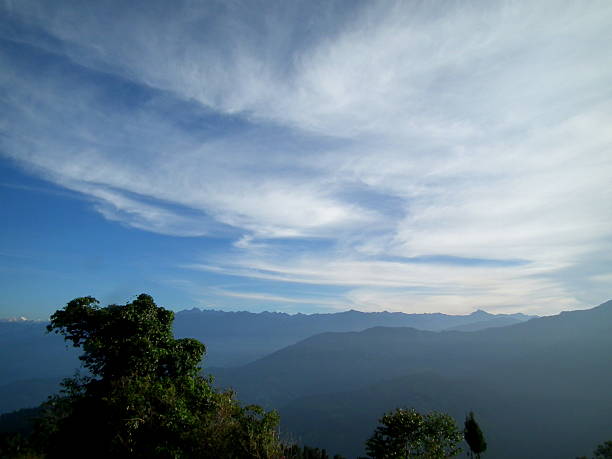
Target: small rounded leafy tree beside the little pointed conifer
<point>406,433</point>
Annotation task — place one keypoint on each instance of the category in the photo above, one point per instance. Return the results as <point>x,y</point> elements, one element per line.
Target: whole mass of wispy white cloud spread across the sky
<point>484,128</point>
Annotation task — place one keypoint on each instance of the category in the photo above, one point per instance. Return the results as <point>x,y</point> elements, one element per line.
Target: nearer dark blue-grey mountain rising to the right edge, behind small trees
<point>542,387</point>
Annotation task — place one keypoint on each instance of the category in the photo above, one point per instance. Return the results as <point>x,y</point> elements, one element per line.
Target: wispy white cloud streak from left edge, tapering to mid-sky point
<point>237,181</point>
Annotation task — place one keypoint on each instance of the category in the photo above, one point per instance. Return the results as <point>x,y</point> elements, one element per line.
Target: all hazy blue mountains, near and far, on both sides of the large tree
<point>540,387</point>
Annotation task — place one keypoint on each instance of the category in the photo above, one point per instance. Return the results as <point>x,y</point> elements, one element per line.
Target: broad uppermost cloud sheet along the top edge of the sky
<point>445,71</point>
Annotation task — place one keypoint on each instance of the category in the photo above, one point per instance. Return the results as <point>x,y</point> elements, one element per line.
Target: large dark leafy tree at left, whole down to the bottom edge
<point>143,395</point>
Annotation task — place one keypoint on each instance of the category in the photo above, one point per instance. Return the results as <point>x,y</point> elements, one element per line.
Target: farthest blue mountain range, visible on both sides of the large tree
<point>36,360</point>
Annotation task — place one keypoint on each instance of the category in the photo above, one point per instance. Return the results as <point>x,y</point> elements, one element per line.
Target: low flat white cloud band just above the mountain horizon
<point>410,286</point>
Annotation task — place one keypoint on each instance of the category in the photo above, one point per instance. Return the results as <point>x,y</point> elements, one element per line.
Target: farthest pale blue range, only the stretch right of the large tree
<point>236,338</point>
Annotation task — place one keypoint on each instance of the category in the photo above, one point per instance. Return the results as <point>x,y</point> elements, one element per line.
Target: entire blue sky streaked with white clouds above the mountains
<point>311,156</point>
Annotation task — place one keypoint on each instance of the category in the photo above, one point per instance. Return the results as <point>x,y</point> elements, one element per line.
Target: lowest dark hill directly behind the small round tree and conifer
<point>515,425</point>
